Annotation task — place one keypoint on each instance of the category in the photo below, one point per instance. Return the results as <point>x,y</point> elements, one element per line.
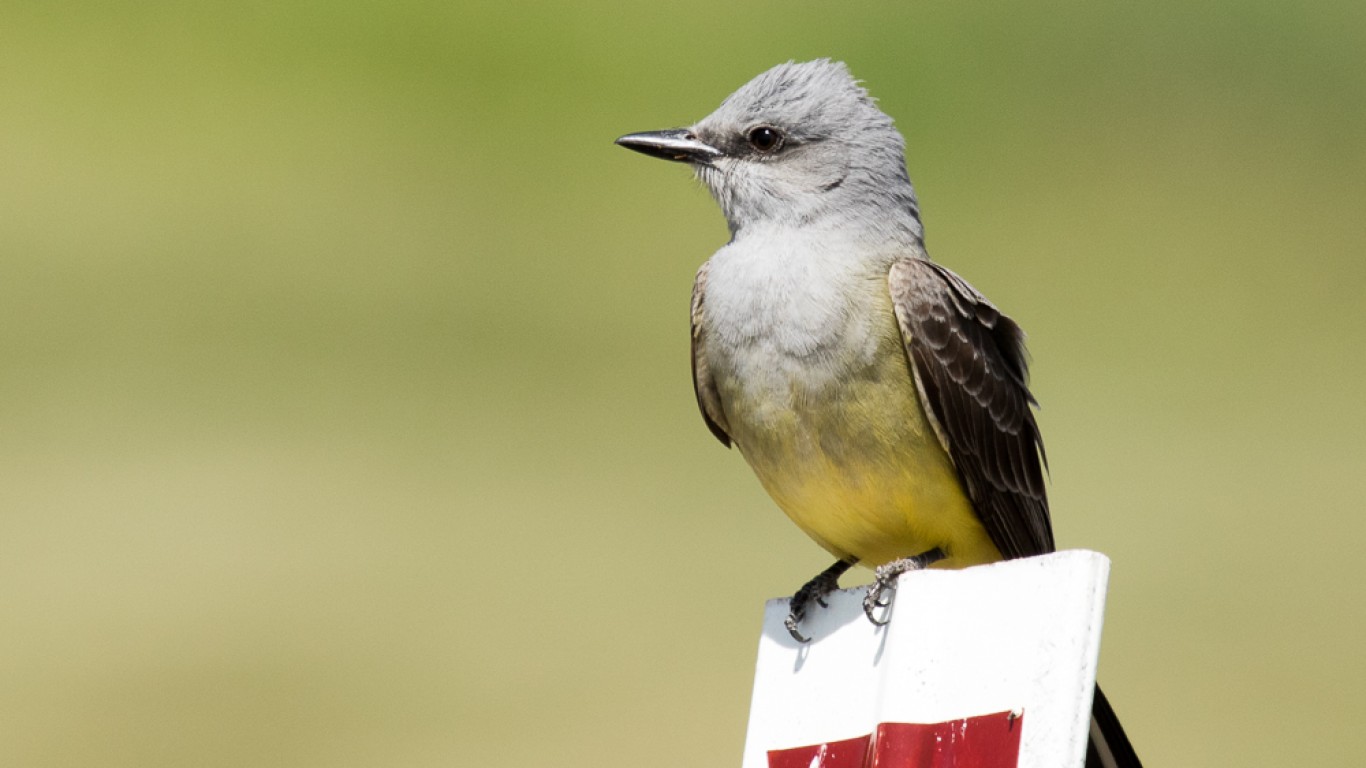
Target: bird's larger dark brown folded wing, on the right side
<point>971,368</point>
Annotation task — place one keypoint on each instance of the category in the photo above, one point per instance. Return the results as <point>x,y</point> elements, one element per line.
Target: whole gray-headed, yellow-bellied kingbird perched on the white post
<point>880,398</point>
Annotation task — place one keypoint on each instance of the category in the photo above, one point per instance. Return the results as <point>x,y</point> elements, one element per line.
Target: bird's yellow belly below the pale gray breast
<point>859,468</point>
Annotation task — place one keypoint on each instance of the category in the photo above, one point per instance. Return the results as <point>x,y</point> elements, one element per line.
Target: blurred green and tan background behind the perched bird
<point>346,402</point>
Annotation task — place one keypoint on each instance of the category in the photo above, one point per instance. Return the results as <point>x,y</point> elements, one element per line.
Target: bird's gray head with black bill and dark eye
<point>801,144</point>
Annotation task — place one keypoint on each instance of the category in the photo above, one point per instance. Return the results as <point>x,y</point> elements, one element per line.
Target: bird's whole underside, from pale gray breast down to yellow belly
<point>819,396</point>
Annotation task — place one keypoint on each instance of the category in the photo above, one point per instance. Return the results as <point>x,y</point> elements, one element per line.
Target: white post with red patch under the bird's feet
<point>987,668</point>
